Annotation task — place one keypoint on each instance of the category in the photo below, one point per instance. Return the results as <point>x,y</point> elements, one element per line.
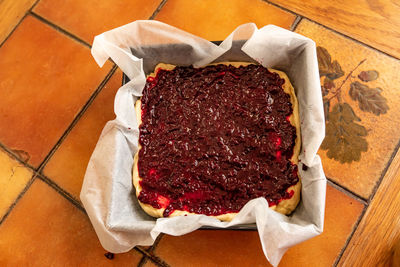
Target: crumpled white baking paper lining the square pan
<point>107,192</point>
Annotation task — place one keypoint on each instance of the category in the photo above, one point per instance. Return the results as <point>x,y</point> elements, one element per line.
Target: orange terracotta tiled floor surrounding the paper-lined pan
<point>54,102</point>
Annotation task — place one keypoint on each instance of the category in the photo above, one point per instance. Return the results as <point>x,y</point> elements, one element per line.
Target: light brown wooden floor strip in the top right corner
<point>376,23</point>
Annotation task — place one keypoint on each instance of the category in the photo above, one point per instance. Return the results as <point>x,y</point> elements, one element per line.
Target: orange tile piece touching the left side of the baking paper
<point>68,165</point>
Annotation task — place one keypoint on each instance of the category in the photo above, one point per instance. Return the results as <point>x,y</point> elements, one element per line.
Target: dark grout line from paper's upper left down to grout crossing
<point>77,118</point>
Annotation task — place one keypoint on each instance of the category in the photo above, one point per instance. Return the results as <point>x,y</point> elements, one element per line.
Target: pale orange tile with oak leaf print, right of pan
<point>362,136</point>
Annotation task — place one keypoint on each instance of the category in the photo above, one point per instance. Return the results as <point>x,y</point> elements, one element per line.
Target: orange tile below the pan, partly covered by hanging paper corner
<point>243,248</point>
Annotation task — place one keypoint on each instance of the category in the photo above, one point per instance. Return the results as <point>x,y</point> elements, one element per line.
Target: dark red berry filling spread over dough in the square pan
<point>214,138</point>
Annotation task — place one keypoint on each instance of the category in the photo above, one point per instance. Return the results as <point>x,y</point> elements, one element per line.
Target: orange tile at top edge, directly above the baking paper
<point>215,20</point>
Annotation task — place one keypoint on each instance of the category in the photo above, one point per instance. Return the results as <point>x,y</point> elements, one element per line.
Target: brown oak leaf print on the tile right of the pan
<point>345,136</point>
